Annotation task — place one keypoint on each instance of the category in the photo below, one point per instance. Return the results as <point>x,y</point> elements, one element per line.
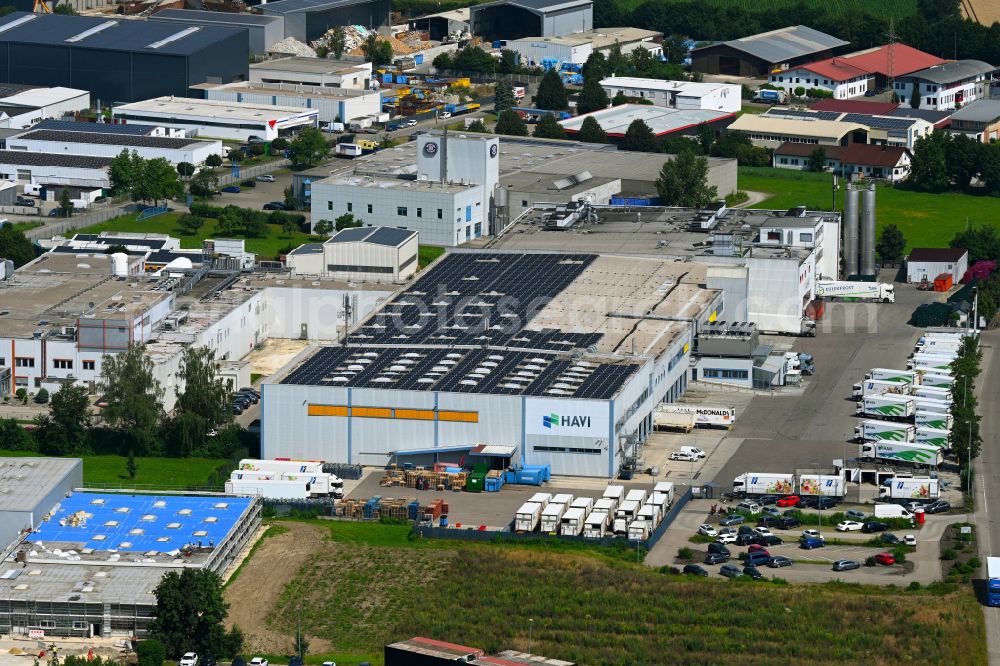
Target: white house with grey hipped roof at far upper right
<point>947,86</point>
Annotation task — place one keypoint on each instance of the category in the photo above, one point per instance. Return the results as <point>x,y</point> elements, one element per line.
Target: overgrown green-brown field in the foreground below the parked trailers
<point>358,586</point>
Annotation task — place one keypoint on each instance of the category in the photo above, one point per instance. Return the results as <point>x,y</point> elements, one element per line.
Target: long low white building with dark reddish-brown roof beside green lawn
<point>864,159</point>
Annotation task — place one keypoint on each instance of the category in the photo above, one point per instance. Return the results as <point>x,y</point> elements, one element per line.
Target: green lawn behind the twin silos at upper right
<point>926,220</point>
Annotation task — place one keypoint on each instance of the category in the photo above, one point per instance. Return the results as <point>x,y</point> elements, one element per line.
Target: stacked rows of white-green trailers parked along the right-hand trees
<point>911,408</point>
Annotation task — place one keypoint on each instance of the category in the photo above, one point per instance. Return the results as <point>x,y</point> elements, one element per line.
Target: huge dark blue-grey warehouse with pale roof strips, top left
<point>118,60</point>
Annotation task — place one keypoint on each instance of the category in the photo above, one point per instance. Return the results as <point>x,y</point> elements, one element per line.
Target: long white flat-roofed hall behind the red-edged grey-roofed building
<point>676,94</point>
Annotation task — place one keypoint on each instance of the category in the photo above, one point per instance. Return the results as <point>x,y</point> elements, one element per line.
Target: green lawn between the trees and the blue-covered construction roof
<point>153,473</point>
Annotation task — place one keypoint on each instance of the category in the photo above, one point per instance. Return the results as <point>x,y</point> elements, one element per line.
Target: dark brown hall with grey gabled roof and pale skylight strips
<point>759,55</point>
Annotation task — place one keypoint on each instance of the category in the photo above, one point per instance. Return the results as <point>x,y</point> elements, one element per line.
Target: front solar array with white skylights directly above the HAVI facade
<point>454,370</point>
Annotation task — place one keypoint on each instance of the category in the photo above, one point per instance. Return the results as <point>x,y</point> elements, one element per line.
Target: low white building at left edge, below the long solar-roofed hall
<point>54,169</point>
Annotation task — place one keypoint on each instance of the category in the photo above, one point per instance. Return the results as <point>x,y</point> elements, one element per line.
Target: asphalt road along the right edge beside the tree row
<point>987,477</point>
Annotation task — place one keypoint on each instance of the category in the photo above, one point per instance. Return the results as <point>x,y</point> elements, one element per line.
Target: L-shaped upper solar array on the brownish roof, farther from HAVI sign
<point>480,299</point>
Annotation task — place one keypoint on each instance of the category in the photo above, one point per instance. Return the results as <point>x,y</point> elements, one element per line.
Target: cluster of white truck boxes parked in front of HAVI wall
<point>633,514</point>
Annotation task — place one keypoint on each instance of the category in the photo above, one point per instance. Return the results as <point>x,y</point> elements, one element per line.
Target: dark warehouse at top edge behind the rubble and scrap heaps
<point>306,20</point>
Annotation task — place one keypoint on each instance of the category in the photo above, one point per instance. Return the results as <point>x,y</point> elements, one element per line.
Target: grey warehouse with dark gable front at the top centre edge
<point>516,19</point>
